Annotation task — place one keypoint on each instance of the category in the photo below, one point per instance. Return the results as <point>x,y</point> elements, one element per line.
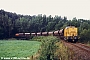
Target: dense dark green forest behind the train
<point>11,23</point>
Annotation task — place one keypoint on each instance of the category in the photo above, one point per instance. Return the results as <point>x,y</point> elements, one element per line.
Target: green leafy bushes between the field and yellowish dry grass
<point>48,47</point>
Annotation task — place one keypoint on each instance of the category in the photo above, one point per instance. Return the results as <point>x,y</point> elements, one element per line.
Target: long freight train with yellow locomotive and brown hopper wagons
<point>69,34</point>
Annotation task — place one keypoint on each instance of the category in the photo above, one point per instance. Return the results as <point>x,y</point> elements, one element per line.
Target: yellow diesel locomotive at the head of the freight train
<point>69,34</point>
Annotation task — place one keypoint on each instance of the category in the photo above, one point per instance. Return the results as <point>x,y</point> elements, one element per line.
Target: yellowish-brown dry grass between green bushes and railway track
<point>63,53</point>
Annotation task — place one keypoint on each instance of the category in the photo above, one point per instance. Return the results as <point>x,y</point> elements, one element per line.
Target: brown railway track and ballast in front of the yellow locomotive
<point>81,51</point>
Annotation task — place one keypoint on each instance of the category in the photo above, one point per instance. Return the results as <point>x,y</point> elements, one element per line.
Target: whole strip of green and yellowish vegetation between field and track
<point>52,49</point>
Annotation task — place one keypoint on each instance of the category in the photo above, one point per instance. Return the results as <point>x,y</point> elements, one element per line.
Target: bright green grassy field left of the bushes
<point>18,48</point>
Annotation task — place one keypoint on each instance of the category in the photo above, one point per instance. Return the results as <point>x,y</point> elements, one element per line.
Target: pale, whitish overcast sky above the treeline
<point>68,8</point>
